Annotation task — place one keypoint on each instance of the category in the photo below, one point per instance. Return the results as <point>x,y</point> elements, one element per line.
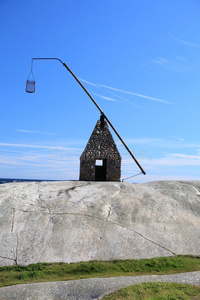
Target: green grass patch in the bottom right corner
<point>156,290</point>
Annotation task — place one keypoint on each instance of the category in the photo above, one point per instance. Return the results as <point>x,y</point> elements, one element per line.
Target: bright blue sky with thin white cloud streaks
<point>139,59</point>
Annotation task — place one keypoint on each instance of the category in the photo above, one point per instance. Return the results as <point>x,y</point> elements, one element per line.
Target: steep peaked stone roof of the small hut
<point>101,144</point>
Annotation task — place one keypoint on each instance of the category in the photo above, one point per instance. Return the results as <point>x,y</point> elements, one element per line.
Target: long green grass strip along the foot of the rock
<point>61,271</point>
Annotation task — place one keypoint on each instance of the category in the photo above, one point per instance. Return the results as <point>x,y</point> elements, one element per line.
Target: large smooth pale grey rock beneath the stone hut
<point>80,221</point>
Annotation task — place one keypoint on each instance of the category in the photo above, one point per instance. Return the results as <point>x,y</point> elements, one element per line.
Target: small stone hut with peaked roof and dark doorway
<point>101,160</point>
